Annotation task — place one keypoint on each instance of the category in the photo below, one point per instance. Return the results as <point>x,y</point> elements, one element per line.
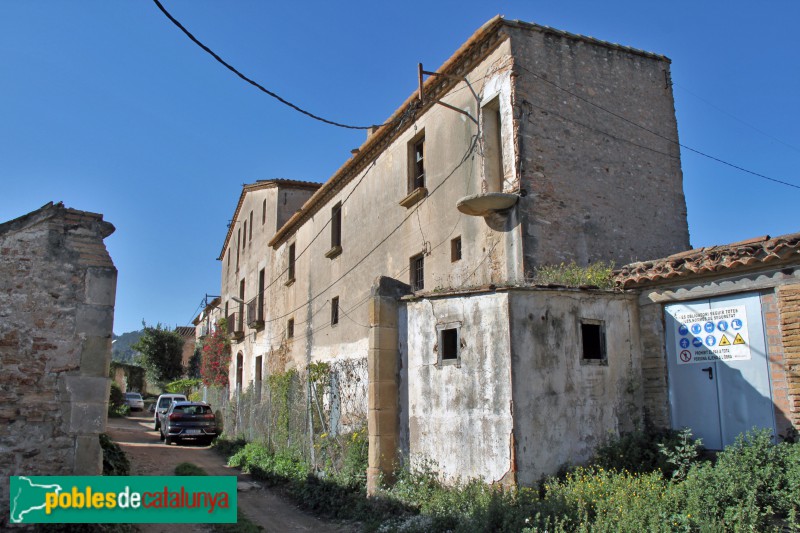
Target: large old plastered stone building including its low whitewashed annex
<point>414,257</point>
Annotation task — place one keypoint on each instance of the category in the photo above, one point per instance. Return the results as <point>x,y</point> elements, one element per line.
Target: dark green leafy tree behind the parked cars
<point>162,351</point>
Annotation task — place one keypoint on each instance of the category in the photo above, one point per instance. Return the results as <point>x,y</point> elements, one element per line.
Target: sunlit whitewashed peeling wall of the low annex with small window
<point>458,416</point>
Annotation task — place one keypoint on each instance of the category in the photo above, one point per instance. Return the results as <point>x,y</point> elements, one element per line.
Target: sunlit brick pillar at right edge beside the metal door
<point>783,328</point>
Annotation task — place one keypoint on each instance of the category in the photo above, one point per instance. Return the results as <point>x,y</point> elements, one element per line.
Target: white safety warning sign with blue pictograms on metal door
<point>703,336</point>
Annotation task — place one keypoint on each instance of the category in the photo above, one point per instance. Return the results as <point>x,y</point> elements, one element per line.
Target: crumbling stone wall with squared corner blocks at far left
<point>57,290</point>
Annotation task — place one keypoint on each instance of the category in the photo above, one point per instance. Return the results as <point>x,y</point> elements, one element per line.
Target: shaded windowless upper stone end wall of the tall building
<point>598,187</point>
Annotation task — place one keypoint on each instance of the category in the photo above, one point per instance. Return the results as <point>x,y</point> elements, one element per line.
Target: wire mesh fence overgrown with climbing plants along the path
<point>315,413</point>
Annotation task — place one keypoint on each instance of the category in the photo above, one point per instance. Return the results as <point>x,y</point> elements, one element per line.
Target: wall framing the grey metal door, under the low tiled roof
<point>775,286</point>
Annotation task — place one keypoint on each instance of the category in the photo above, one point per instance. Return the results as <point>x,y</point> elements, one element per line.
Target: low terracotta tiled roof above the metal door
<point>737,256</point>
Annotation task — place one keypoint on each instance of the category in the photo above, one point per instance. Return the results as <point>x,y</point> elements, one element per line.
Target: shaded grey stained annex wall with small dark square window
<point>565,406</point>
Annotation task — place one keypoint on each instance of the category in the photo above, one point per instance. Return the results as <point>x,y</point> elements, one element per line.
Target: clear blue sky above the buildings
<point>108,107</point>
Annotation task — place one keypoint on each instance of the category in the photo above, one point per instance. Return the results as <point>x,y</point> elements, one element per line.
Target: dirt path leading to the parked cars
<point>151,457</point>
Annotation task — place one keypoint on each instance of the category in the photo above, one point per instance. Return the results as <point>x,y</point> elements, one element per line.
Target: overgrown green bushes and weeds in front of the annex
<point>643,481</point>
